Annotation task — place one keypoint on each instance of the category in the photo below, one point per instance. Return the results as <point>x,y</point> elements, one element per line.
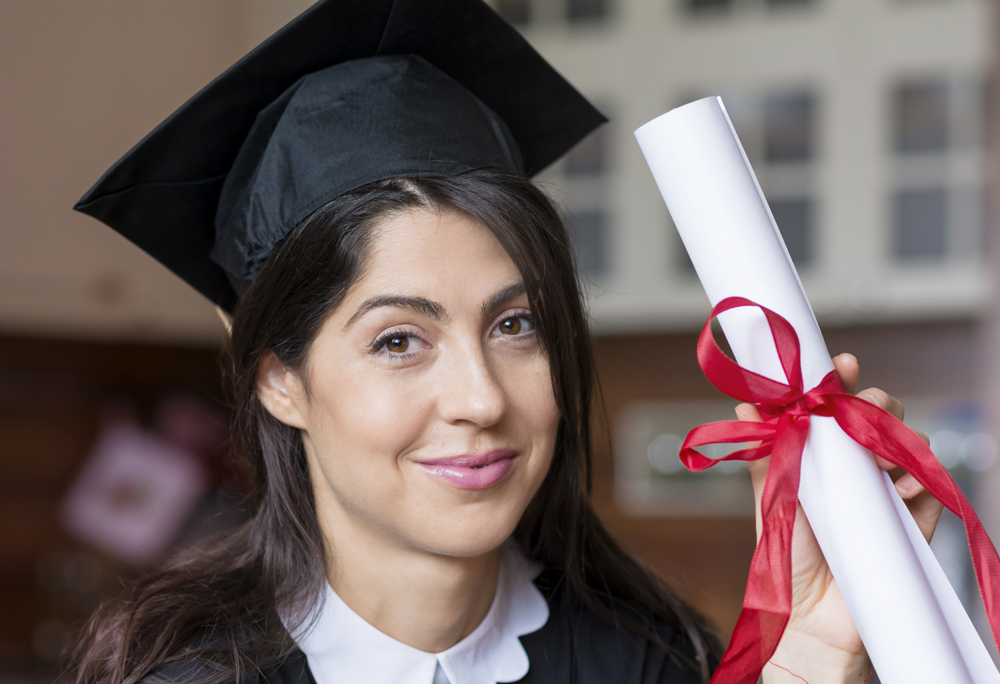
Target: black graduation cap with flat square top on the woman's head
<point>350,92</point>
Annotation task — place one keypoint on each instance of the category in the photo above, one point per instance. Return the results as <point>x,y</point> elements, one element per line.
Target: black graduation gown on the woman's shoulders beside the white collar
<point>575,646</point>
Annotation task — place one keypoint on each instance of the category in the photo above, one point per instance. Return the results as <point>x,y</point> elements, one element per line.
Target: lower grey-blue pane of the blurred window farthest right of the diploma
<point>921,222</point>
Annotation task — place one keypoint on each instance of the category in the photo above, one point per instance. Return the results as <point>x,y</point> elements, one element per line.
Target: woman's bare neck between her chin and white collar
<point>425,600</point>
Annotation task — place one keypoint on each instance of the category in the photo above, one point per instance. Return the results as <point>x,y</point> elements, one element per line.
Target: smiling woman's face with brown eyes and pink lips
<point>430,419</point>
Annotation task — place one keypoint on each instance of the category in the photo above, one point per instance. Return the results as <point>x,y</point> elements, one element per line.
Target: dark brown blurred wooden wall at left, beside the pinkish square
<point>52,398</point>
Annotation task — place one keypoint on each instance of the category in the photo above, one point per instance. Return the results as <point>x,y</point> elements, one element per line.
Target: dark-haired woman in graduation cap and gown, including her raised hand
<point>412,380</point>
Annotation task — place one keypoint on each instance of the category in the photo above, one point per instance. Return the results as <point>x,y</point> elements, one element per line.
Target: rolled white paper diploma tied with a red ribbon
<point>908,615</point>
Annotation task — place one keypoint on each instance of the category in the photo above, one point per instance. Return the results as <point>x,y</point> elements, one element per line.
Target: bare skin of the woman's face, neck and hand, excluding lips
<point>416,556</point>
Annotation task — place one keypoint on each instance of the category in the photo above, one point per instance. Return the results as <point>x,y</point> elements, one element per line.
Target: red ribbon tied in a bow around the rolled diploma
<point>786,409</point>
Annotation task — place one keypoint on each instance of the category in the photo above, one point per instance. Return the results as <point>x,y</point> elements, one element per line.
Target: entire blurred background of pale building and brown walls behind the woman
<point>868,123</point>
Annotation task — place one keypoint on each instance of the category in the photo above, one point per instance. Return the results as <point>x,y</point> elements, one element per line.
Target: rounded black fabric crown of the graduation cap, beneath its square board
<point>343,127</point>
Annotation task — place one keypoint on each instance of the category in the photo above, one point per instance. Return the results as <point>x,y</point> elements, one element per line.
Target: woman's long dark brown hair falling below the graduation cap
<point>220,605</point>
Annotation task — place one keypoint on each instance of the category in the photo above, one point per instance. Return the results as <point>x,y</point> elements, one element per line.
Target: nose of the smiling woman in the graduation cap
<point>469,391</point>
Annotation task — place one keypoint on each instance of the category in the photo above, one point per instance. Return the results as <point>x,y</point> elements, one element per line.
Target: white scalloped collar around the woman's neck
<point>341,648</point>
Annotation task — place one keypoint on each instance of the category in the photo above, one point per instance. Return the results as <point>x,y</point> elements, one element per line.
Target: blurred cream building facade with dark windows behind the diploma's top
<point>865,121</point>
